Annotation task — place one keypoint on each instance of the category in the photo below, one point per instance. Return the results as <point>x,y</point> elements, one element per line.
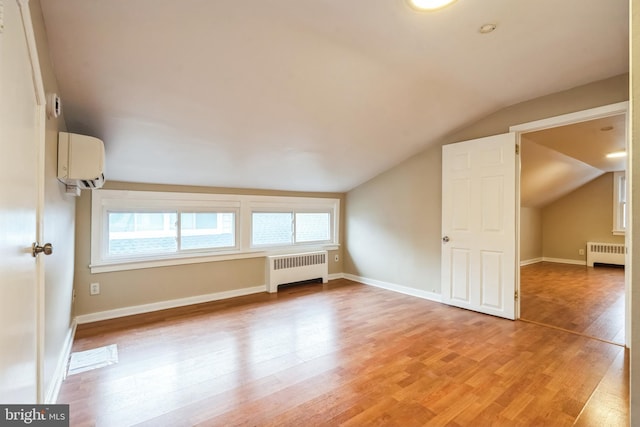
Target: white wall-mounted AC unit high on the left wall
<point>80,161</point>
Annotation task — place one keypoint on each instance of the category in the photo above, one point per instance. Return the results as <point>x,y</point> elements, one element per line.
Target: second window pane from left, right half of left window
<point>204,230</point>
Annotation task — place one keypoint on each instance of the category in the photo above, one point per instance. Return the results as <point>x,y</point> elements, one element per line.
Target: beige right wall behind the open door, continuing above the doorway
<point>393,221</point>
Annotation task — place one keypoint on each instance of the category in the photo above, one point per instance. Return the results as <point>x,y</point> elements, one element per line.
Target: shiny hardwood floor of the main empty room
<point>341,354</point>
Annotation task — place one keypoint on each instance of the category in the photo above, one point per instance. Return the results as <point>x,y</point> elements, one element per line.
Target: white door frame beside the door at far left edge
<point>41,118</point>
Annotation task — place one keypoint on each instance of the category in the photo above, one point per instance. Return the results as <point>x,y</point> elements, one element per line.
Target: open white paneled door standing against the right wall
<point>479,225</point>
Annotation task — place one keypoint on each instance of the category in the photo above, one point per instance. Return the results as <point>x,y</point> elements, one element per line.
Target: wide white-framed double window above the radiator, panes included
<point>140,229</point>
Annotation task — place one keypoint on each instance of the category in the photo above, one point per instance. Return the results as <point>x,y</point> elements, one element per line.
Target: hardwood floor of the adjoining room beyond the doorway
<point>585,300</point>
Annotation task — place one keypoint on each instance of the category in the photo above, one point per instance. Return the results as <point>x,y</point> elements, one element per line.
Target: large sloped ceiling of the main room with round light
<point>308,95</point>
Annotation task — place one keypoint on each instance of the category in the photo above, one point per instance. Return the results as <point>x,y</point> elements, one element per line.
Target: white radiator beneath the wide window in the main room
<point>282,269</point>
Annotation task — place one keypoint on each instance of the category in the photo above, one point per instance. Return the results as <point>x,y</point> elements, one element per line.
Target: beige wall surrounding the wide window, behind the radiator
<point>151,285</point>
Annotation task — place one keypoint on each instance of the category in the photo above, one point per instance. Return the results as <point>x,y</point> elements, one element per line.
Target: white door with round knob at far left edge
<point>20,145</point>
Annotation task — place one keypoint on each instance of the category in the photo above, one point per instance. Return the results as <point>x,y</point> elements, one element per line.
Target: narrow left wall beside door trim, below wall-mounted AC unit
<point>58,226</point>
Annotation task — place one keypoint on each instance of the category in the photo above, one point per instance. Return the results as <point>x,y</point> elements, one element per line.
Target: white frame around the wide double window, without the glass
<point>103,201</point>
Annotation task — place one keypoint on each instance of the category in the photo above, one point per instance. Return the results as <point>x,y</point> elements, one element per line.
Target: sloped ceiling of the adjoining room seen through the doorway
<point>556,161</point>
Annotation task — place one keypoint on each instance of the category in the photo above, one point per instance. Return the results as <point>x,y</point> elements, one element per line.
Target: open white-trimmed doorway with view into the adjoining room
<point>566,193</point>
